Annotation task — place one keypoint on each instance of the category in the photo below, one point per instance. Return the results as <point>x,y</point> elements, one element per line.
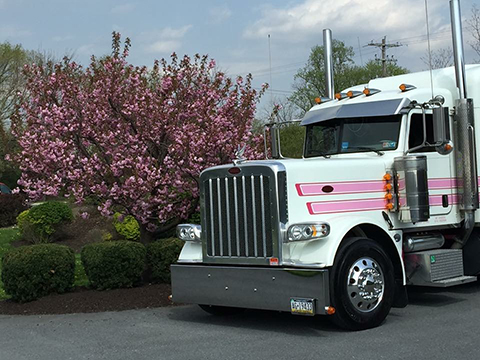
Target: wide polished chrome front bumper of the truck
<point>249,287</point>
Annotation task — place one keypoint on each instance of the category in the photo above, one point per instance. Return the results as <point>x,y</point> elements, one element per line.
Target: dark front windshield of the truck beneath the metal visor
<point>352,135</point>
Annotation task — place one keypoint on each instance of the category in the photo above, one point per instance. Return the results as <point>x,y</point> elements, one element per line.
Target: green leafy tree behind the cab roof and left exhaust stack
<point>310,80</point>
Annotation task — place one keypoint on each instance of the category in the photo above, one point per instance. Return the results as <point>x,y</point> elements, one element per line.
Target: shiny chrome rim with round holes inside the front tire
<point>365,284</point>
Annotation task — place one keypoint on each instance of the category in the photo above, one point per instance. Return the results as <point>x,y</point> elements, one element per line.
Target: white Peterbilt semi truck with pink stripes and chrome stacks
<point>385,196</point>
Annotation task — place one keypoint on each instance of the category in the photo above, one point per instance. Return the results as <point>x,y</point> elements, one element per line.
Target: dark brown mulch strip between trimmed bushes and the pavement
<point>83,300</point>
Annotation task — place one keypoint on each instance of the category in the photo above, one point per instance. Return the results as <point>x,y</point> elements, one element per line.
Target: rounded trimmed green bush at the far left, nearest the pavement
<point>30,272</point>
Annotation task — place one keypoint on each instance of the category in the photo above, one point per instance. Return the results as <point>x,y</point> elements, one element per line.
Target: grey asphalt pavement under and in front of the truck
<point>437,324</point>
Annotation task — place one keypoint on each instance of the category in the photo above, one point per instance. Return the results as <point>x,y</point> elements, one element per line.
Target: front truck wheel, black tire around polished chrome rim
<point>362,285</point>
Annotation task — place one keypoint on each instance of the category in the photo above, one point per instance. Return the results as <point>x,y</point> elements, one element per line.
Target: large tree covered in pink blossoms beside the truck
<point>134,138</point>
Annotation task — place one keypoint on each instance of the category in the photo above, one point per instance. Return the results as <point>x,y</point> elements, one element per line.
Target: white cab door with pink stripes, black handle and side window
<point>441,175</point>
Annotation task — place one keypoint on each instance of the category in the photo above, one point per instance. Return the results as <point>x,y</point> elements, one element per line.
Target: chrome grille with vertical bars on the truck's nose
<point>238,216</point>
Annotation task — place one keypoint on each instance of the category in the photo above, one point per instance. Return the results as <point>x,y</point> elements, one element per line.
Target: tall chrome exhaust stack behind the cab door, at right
<point>465,154</point>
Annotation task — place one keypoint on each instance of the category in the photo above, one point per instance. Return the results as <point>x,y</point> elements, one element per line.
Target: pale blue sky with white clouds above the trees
<point>234,33</point>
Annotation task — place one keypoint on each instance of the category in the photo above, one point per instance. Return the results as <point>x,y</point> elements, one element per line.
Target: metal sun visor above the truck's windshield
<point>364,109</point>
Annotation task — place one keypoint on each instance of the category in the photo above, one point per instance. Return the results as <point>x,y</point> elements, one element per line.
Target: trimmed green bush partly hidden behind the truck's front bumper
<point>160,255</point>
